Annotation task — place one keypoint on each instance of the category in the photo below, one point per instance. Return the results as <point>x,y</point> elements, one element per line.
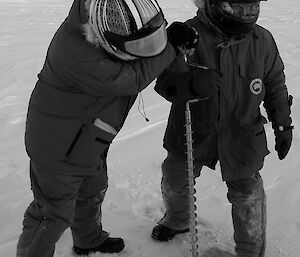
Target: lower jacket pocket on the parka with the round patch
<point>254,141</point>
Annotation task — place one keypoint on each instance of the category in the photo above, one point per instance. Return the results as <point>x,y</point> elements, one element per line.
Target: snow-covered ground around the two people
<point>133,203</point>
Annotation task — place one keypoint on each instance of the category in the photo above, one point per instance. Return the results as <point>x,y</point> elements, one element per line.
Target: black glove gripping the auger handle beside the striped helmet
<point>180,34</point>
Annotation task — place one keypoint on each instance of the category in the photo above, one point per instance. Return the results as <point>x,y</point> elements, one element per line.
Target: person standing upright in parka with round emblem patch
<point>228,126</point>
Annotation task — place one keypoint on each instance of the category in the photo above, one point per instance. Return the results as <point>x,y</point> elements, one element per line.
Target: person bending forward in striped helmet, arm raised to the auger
<point>100,58</point>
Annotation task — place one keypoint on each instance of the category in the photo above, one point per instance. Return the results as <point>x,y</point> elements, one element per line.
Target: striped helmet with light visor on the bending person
<point>129,28</point>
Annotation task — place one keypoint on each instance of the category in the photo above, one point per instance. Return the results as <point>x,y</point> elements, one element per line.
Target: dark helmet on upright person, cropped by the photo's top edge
<point>233,17</point>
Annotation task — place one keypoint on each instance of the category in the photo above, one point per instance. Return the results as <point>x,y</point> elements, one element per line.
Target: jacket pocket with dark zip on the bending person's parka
<point>88,146</point>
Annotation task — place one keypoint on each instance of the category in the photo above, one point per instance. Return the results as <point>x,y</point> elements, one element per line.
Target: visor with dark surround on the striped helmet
<point>148,41</point>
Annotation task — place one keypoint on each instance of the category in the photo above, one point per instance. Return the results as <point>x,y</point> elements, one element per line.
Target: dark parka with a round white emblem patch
<point>228,126</point>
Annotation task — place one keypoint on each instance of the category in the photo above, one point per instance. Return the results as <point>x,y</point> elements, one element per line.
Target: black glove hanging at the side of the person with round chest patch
<point>283,140</point>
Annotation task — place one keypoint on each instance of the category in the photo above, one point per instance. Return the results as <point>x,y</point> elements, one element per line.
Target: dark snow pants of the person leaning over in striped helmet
<point>62,201</point>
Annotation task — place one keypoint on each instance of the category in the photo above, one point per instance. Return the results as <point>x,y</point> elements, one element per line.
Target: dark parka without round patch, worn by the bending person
<point>79,83</point>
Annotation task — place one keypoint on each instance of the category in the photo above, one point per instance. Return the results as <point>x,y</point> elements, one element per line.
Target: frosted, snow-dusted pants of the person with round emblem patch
<point>247,197</point>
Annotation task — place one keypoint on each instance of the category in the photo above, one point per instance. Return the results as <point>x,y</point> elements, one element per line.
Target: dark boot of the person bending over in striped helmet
<point>110,245</point>
